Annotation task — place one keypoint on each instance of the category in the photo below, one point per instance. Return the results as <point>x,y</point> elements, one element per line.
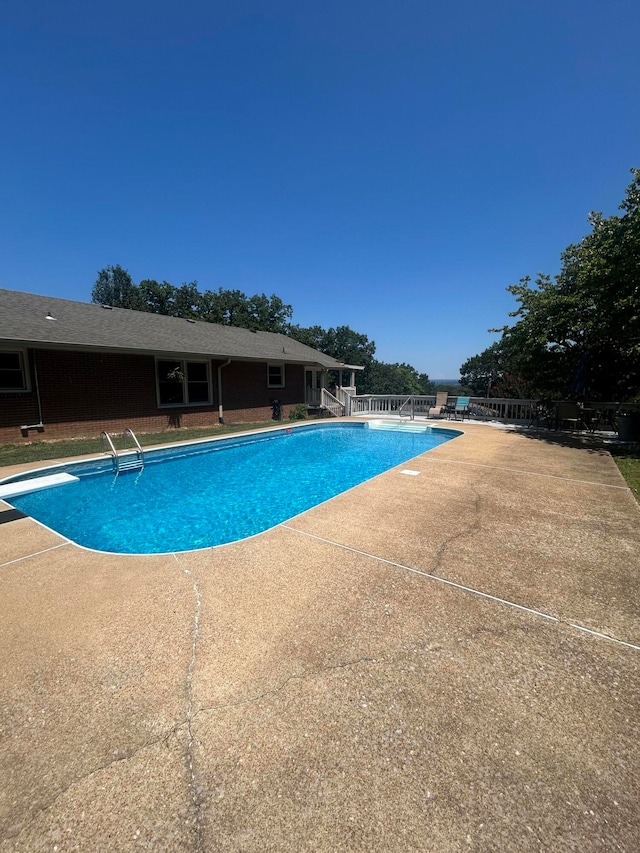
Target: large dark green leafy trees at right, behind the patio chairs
<point>576,335</point>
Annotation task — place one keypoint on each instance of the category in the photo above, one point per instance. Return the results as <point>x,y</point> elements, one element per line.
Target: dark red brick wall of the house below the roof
<point>83,393</point>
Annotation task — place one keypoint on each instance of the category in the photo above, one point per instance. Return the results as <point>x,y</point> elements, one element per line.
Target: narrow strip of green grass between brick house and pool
<point>41,451</point>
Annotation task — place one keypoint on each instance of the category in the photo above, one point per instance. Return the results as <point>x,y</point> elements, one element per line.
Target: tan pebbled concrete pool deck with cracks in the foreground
<point>441,662</point>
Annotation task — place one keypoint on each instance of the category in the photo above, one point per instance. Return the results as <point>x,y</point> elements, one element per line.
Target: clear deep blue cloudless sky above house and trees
<point>391,166</point>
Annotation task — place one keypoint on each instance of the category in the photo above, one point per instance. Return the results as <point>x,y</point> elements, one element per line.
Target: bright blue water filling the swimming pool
<point>200,495</point>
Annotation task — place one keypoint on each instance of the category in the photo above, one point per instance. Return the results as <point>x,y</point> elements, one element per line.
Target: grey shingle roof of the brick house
<point>24,320</point>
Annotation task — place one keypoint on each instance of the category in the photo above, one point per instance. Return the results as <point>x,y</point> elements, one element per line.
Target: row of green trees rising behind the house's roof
<point>114,286</point>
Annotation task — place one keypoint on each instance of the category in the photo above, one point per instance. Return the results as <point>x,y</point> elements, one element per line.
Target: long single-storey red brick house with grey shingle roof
<point>73,369</point>
